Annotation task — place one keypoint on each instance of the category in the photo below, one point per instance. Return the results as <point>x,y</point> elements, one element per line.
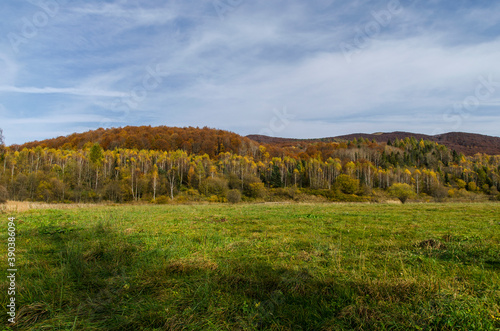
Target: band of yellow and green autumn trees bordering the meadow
<point>335,170</point>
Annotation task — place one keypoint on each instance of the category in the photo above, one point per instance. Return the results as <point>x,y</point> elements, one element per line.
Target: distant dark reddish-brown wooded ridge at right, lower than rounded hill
<point>465,143</point>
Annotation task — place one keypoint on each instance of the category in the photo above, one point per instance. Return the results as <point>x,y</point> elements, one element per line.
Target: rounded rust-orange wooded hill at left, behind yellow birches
<point>192,140</point>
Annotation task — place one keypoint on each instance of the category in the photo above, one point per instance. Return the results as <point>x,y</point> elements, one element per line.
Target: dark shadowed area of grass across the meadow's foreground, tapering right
<point>101,278</point>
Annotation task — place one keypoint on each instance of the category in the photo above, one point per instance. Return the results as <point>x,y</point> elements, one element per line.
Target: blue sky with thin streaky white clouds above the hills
<point>298,69</point>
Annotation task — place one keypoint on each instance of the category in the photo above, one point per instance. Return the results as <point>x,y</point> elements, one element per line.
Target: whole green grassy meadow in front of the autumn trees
<point>257,267</point>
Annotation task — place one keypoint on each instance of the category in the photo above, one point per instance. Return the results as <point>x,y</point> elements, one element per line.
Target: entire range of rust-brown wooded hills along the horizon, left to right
<point>212,141</point>
